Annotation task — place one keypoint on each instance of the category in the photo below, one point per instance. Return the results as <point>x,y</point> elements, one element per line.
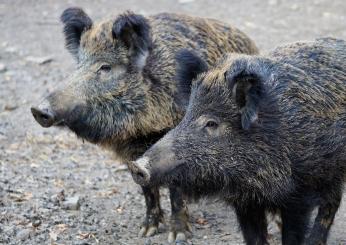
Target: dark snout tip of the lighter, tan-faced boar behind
<point>44,114</point>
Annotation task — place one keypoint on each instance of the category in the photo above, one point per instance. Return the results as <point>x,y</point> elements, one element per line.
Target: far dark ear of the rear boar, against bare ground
<point>76,21</point>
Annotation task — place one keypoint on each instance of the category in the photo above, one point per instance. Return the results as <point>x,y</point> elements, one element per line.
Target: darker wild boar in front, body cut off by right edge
<point>264,133</point>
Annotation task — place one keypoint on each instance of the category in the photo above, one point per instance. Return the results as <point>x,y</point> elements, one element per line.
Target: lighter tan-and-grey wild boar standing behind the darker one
<point>124,95</point>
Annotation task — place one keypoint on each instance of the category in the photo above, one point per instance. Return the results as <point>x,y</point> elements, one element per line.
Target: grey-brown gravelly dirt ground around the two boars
<point>41,170</point>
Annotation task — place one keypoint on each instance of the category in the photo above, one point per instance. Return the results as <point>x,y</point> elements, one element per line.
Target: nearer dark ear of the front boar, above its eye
<point>247,92</point>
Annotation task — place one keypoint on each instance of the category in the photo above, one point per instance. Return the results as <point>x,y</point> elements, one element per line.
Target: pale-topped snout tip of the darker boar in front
<point>140,171</point>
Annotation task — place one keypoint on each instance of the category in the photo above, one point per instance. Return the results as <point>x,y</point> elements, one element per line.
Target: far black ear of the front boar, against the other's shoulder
<point>189,66</point>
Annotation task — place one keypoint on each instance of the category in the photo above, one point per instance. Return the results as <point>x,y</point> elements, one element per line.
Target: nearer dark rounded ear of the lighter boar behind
<point>134,31</point>
